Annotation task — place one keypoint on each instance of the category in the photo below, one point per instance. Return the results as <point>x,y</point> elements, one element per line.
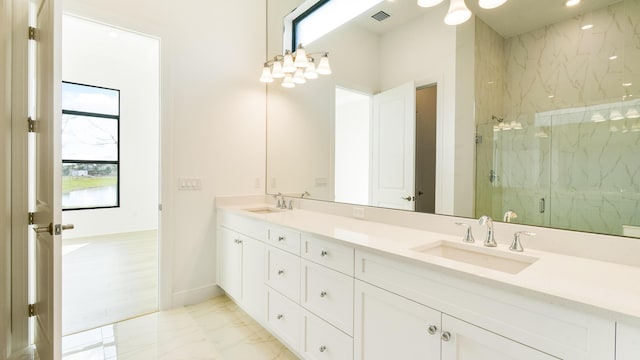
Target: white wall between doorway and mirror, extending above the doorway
<point>213,121</point>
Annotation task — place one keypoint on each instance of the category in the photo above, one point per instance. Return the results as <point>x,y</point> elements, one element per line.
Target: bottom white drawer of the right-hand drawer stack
<point>320,340</point>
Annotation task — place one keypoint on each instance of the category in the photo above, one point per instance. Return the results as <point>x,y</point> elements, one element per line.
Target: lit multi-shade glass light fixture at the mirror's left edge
<point>295,68</point>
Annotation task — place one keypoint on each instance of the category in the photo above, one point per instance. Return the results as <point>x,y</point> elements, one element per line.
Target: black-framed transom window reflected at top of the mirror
<point>315,18</point>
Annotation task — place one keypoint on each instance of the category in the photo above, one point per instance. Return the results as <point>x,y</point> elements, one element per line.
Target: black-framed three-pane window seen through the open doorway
<point>90,147</point>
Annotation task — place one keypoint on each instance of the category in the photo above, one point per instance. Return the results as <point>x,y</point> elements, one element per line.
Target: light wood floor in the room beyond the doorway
<point>106,279</point>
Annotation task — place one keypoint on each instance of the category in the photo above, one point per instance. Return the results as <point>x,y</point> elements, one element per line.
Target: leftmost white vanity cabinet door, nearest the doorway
<point>230,263</point>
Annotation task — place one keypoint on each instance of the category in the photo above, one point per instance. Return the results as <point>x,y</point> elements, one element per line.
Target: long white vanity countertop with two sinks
<point>608,289</point>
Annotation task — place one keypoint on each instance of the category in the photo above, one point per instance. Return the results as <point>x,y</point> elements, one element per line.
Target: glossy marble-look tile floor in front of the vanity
<point>215,329</point>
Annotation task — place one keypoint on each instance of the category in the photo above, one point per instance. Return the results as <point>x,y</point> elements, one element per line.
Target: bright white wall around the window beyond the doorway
<point>101,55</point>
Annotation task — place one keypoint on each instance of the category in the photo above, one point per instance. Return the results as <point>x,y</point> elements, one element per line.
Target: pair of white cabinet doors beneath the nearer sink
<point>390,326</point>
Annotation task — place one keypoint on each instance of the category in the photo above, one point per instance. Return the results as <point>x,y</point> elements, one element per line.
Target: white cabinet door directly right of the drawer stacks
<point>388,326</point>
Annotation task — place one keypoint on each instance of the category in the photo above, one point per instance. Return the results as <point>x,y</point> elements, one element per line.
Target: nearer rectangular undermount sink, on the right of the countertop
<point>489,258</point>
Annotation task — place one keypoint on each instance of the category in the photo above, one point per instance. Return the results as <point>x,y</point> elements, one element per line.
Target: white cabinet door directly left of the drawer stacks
<point>254,299</point>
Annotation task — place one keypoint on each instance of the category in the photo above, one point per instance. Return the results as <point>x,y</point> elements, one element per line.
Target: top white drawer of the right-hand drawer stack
<point>328,253</point>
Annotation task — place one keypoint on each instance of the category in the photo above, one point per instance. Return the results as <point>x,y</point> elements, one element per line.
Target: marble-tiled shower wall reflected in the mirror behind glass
<point>582,159</point>
